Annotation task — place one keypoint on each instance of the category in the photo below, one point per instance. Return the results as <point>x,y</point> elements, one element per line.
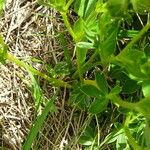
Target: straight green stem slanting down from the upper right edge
<point>135,39</point>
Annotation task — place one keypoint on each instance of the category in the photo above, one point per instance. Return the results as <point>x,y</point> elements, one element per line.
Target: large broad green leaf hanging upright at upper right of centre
<point>108,35</point>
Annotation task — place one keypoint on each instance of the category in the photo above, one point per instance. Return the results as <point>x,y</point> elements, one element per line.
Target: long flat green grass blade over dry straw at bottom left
<point>50,107</point>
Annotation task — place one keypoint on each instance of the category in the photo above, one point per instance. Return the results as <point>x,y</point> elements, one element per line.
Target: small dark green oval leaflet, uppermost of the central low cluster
<point>101,82</point>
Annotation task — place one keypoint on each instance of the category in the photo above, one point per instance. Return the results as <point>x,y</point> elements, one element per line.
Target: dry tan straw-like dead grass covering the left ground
<point>30,31</point>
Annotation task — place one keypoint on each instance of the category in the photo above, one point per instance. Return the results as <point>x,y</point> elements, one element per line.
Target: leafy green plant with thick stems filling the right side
<point>118,74</point>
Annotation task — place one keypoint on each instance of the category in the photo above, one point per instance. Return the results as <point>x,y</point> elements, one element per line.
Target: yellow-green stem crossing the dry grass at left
<point>52,81</point>
